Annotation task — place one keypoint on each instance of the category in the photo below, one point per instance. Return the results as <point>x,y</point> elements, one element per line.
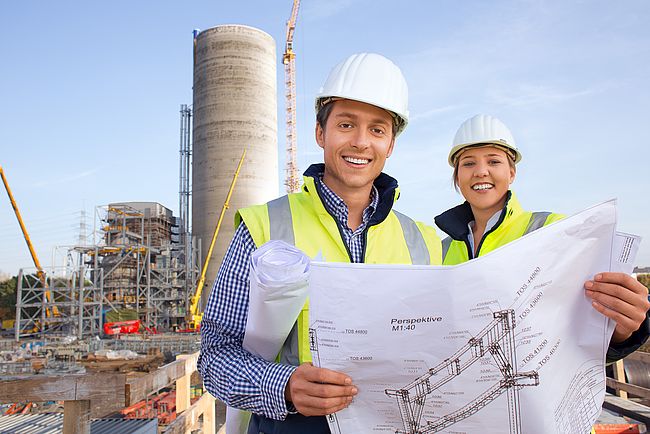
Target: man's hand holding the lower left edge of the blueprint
<point>319,391</point>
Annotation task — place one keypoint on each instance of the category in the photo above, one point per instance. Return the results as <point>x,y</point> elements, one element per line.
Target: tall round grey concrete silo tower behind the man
<point>235,106</point>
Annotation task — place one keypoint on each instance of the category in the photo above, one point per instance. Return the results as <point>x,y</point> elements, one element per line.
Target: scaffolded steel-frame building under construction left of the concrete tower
<point>137,266</point>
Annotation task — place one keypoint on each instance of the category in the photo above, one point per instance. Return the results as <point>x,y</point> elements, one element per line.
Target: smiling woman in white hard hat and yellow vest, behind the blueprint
<point>484,157</point>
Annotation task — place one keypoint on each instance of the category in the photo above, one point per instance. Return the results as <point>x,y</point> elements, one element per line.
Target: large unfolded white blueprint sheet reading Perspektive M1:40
<point>507,343</point>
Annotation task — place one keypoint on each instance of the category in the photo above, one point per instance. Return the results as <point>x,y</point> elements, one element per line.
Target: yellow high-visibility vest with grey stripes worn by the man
<point>301,219</point>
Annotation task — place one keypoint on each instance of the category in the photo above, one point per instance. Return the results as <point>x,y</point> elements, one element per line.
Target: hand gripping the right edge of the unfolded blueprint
<point>621,298</point>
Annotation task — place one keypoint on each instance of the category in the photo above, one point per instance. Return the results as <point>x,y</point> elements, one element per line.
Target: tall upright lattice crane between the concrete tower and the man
<point>292,180</point>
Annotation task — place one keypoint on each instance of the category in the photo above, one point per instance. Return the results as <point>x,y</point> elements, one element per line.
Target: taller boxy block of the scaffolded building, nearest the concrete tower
<point>145,266</point>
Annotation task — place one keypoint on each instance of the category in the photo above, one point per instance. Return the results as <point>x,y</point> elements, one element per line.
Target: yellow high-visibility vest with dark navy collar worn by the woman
<point>513,224</point>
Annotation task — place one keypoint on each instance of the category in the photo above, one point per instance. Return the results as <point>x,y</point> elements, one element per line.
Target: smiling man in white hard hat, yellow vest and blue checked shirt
<point>344,212</point>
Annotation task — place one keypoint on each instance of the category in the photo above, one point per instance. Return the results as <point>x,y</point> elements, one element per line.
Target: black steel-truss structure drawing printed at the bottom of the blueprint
<point>497,340</point>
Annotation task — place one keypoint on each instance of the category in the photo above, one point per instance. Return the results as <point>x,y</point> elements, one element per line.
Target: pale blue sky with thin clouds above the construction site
<point>91,93</point>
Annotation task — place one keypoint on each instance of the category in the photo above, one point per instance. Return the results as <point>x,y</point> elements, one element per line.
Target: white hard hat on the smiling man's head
<point>369,78</point>
